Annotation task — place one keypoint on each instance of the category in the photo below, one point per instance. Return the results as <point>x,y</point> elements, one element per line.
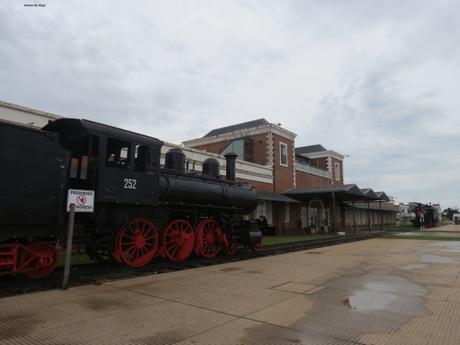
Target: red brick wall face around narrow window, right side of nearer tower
<point>283,176</point>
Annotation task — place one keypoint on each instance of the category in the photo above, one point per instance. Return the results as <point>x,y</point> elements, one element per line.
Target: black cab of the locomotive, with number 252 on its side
<point>121,166</point>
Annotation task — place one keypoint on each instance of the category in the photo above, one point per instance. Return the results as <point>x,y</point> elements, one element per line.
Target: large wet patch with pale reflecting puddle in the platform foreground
<point>348,308</point>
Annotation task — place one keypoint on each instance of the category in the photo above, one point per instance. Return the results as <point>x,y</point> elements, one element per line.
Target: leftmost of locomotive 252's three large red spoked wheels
<point>136,243</point>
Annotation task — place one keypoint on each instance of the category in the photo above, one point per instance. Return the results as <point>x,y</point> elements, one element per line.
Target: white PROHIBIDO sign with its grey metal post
<point>78,200</point>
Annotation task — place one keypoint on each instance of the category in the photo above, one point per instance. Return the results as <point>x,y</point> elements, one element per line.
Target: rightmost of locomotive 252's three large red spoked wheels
<point>208,238</point>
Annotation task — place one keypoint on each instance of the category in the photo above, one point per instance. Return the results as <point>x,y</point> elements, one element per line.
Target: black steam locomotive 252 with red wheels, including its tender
<point>141,209</point>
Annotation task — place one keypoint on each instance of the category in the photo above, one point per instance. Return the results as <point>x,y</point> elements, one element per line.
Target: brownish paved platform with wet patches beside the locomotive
<point>379,291</point>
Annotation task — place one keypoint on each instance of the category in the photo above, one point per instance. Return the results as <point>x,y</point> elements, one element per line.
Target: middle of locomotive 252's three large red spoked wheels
<point>178,240</point>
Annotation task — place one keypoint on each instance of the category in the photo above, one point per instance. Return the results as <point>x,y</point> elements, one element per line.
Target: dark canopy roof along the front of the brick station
<point>347,192</point>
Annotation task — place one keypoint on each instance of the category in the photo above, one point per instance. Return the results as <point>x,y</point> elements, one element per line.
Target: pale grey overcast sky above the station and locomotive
<point>375,80</point>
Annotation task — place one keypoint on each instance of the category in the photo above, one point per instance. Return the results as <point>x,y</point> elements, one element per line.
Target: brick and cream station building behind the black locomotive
<point>301,189</point>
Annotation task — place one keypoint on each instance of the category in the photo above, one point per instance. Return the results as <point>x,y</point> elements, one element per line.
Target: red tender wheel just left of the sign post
<point>38,260</point>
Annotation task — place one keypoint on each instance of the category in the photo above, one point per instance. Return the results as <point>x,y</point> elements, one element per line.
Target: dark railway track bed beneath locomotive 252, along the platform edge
<point>97,273</point>
